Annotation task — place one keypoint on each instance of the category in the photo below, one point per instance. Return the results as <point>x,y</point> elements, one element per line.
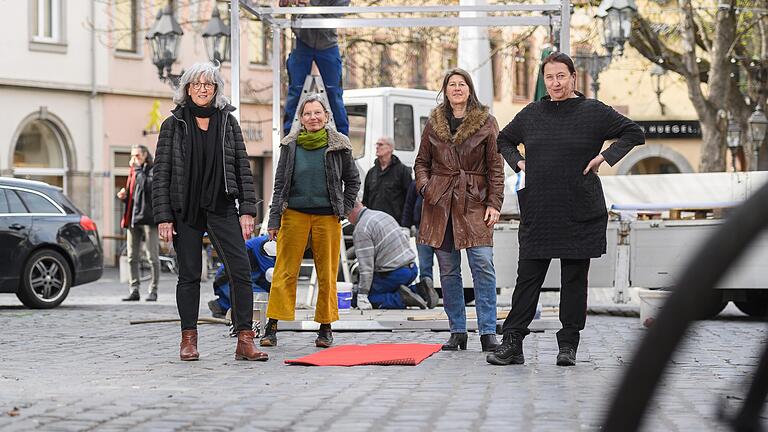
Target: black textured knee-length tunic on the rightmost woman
<point>562,211</point>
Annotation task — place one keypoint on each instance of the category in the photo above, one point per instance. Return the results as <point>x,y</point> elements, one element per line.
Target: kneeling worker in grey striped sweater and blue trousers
<point>386,264</point>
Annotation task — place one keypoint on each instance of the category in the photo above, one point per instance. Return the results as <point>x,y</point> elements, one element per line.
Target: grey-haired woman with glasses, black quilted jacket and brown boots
<point>203,182</point>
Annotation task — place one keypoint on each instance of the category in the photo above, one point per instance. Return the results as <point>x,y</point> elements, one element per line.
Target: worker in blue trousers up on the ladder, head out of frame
<point>320,46</point>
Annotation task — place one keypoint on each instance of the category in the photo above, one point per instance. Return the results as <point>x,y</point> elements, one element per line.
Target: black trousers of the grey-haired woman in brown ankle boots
<point>226,236</point>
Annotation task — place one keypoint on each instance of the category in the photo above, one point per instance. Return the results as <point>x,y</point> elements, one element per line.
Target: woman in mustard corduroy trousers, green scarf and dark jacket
<point>316,183</point>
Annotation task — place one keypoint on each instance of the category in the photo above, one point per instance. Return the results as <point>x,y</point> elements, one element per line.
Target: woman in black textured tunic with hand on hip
<point>563,213</point>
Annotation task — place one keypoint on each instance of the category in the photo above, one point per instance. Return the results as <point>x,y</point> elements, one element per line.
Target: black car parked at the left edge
<point>47,245</point>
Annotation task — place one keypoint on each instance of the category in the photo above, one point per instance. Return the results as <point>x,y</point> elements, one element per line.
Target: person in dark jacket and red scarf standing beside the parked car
<point>139,223</point>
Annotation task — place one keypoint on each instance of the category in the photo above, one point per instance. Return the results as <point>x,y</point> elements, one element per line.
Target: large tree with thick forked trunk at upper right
<point>722,53</point>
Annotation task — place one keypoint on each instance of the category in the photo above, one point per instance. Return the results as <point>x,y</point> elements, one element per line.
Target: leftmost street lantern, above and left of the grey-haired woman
<point>164,38</point>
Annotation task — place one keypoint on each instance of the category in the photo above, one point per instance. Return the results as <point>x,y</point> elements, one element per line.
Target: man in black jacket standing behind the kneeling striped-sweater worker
<point>387,183</point>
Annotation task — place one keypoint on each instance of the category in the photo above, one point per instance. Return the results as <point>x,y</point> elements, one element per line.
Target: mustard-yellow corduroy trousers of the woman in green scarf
<point>295,228</point>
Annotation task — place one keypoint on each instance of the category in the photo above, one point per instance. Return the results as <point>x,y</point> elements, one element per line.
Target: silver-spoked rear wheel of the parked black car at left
<point>45,281</point>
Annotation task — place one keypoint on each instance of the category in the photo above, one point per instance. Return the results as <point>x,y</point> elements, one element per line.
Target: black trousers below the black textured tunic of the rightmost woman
<point>573,298</point>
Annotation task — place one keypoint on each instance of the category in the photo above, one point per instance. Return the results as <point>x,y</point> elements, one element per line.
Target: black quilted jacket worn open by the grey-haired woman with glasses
<point>169,175</point>
